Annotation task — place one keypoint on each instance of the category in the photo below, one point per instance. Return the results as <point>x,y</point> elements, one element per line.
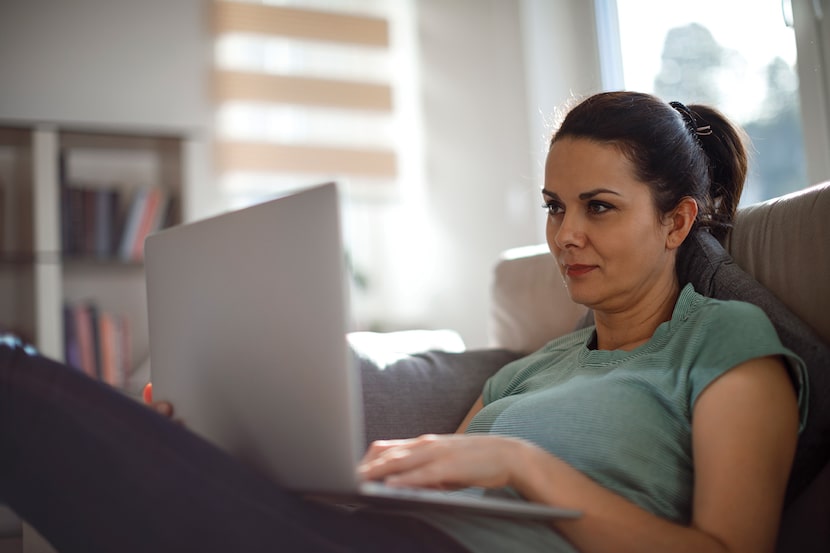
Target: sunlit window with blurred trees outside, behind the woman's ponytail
<point>736,55</point>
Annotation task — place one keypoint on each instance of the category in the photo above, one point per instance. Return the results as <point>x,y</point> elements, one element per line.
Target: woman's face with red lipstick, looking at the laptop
<point>603,227</point>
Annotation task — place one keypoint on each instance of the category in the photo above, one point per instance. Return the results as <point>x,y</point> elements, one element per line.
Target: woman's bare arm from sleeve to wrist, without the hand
<point>744,431</point>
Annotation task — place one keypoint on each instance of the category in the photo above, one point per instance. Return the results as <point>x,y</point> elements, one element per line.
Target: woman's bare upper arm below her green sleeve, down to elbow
<point>745,430</point>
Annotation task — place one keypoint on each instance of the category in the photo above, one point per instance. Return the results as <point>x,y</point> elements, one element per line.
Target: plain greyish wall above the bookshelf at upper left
<point>108,62</point>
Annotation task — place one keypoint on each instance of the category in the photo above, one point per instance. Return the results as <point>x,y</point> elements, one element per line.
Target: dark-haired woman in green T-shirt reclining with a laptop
<point>671,423</point>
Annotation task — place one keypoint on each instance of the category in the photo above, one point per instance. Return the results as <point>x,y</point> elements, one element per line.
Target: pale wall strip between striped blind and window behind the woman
<point>492,70</point>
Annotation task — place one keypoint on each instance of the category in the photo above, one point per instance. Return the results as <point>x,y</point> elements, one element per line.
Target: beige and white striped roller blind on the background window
<point>304,93</point>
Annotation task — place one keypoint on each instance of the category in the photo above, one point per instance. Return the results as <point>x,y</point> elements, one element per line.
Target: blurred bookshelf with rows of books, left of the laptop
<point>75,204</point>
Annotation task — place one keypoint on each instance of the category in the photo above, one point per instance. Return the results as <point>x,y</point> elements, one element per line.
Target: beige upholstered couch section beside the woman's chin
<point>530,304</point>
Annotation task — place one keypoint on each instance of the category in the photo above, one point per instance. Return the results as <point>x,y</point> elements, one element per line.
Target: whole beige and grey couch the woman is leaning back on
<point>777,256</point>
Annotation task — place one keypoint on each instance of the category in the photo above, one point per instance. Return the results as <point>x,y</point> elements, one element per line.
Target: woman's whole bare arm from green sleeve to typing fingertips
<point>744,433</point>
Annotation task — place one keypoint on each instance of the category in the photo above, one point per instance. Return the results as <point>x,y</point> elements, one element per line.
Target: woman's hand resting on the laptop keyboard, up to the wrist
<point>445,461</point>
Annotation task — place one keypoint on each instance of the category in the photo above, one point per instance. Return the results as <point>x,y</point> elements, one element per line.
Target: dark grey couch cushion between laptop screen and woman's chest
<point>425,393</point>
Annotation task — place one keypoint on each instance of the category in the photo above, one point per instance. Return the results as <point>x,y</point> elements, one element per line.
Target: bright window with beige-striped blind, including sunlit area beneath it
<point>310,91</point>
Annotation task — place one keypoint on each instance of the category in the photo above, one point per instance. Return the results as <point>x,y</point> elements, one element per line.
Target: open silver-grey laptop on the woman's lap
<point>248,316</point>
